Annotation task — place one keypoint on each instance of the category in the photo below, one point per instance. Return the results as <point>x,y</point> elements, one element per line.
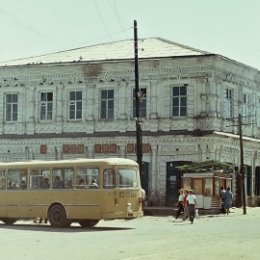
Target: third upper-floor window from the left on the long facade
<point>75,105</point>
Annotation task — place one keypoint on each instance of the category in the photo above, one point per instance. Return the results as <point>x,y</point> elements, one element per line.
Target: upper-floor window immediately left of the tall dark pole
<point>107,104</point>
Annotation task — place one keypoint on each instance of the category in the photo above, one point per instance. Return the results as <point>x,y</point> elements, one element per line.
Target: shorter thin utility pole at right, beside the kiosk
<point>242,167</point>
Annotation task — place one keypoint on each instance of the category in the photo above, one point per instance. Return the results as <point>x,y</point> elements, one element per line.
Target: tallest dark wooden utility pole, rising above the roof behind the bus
<point>139,152</point>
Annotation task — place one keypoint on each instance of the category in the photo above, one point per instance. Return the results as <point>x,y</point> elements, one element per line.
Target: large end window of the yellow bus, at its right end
<point>127,178</point>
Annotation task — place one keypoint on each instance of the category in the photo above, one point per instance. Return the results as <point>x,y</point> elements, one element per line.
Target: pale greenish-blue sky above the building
<point>34,27</point>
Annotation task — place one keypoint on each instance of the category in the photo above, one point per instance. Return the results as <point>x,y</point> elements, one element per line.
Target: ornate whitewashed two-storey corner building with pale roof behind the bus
<point>81,103</point>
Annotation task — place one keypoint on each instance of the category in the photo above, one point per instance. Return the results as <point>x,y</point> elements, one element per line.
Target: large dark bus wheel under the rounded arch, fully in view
<point>57,216</point>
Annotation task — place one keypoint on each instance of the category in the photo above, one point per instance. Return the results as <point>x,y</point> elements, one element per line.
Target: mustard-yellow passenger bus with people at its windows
<point>66,191</point>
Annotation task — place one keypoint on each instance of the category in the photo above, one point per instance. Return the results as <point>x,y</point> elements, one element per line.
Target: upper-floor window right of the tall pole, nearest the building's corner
<point>179,101</point>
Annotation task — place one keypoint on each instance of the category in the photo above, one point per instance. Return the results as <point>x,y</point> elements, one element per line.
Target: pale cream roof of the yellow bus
<point>104,161</point>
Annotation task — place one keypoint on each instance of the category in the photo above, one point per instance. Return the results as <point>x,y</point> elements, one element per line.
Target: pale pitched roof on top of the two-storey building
<point>119,50</point>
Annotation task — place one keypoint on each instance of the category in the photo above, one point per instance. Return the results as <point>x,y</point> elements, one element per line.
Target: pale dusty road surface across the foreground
<point>235,236</point>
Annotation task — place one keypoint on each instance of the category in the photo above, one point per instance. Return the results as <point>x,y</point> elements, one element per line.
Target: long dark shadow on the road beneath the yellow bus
<point>48,228</point>
